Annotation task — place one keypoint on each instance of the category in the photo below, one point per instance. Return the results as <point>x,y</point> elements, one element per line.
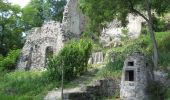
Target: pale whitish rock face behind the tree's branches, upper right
<point>112,34</point>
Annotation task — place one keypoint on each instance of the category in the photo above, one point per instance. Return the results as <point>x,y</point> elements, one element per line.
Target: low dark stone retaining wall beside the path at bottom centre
<point>101,88</point>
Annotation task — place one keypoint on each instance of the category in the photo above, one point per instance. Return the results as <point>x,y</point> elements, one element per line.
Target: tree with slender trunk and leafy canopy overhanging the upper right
<point>119,9</point>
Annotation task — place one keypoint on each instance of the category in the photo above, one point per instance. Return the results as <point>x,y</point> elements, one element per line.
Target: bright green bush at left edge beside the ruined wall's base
<point>9,62</point>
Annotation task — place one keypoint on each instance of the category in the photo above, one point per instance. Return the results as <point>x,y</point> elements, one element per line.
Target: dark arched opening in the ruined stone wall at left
<point>48,54</point>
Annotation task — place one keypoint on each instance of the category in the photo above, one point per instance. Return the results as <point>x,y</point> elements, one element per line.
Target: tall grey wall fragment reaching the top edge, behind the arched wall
<point>73,19</point>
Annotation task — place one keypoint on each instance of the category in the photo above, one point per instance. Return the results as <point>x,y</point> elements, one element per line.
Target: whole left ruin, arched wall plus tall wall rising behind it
<point>43,42</point>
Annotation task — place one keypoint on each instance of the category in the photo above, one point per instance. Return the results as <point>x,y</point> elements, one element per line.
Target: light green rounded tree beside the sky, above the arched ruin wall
<point>32,14</point>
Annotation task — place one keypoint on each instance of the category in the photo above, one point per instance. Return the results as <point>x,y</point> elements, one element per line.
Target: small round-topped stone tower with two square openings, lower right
<point>136,76</point>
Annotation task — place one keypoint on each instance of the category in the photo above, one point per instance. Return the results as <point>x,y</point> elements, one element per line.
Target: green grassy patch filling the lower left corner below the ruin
<point>21,85</point>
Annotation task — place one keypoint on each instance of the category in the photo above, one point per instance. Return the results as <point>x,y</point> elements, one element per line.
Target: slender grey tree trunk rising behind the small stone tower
<point>152,35</point>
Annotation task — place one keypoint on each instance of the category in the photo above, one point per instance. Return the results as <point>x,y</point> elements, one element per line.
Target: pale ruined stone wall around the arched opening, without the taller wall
<point>33,54</point>
